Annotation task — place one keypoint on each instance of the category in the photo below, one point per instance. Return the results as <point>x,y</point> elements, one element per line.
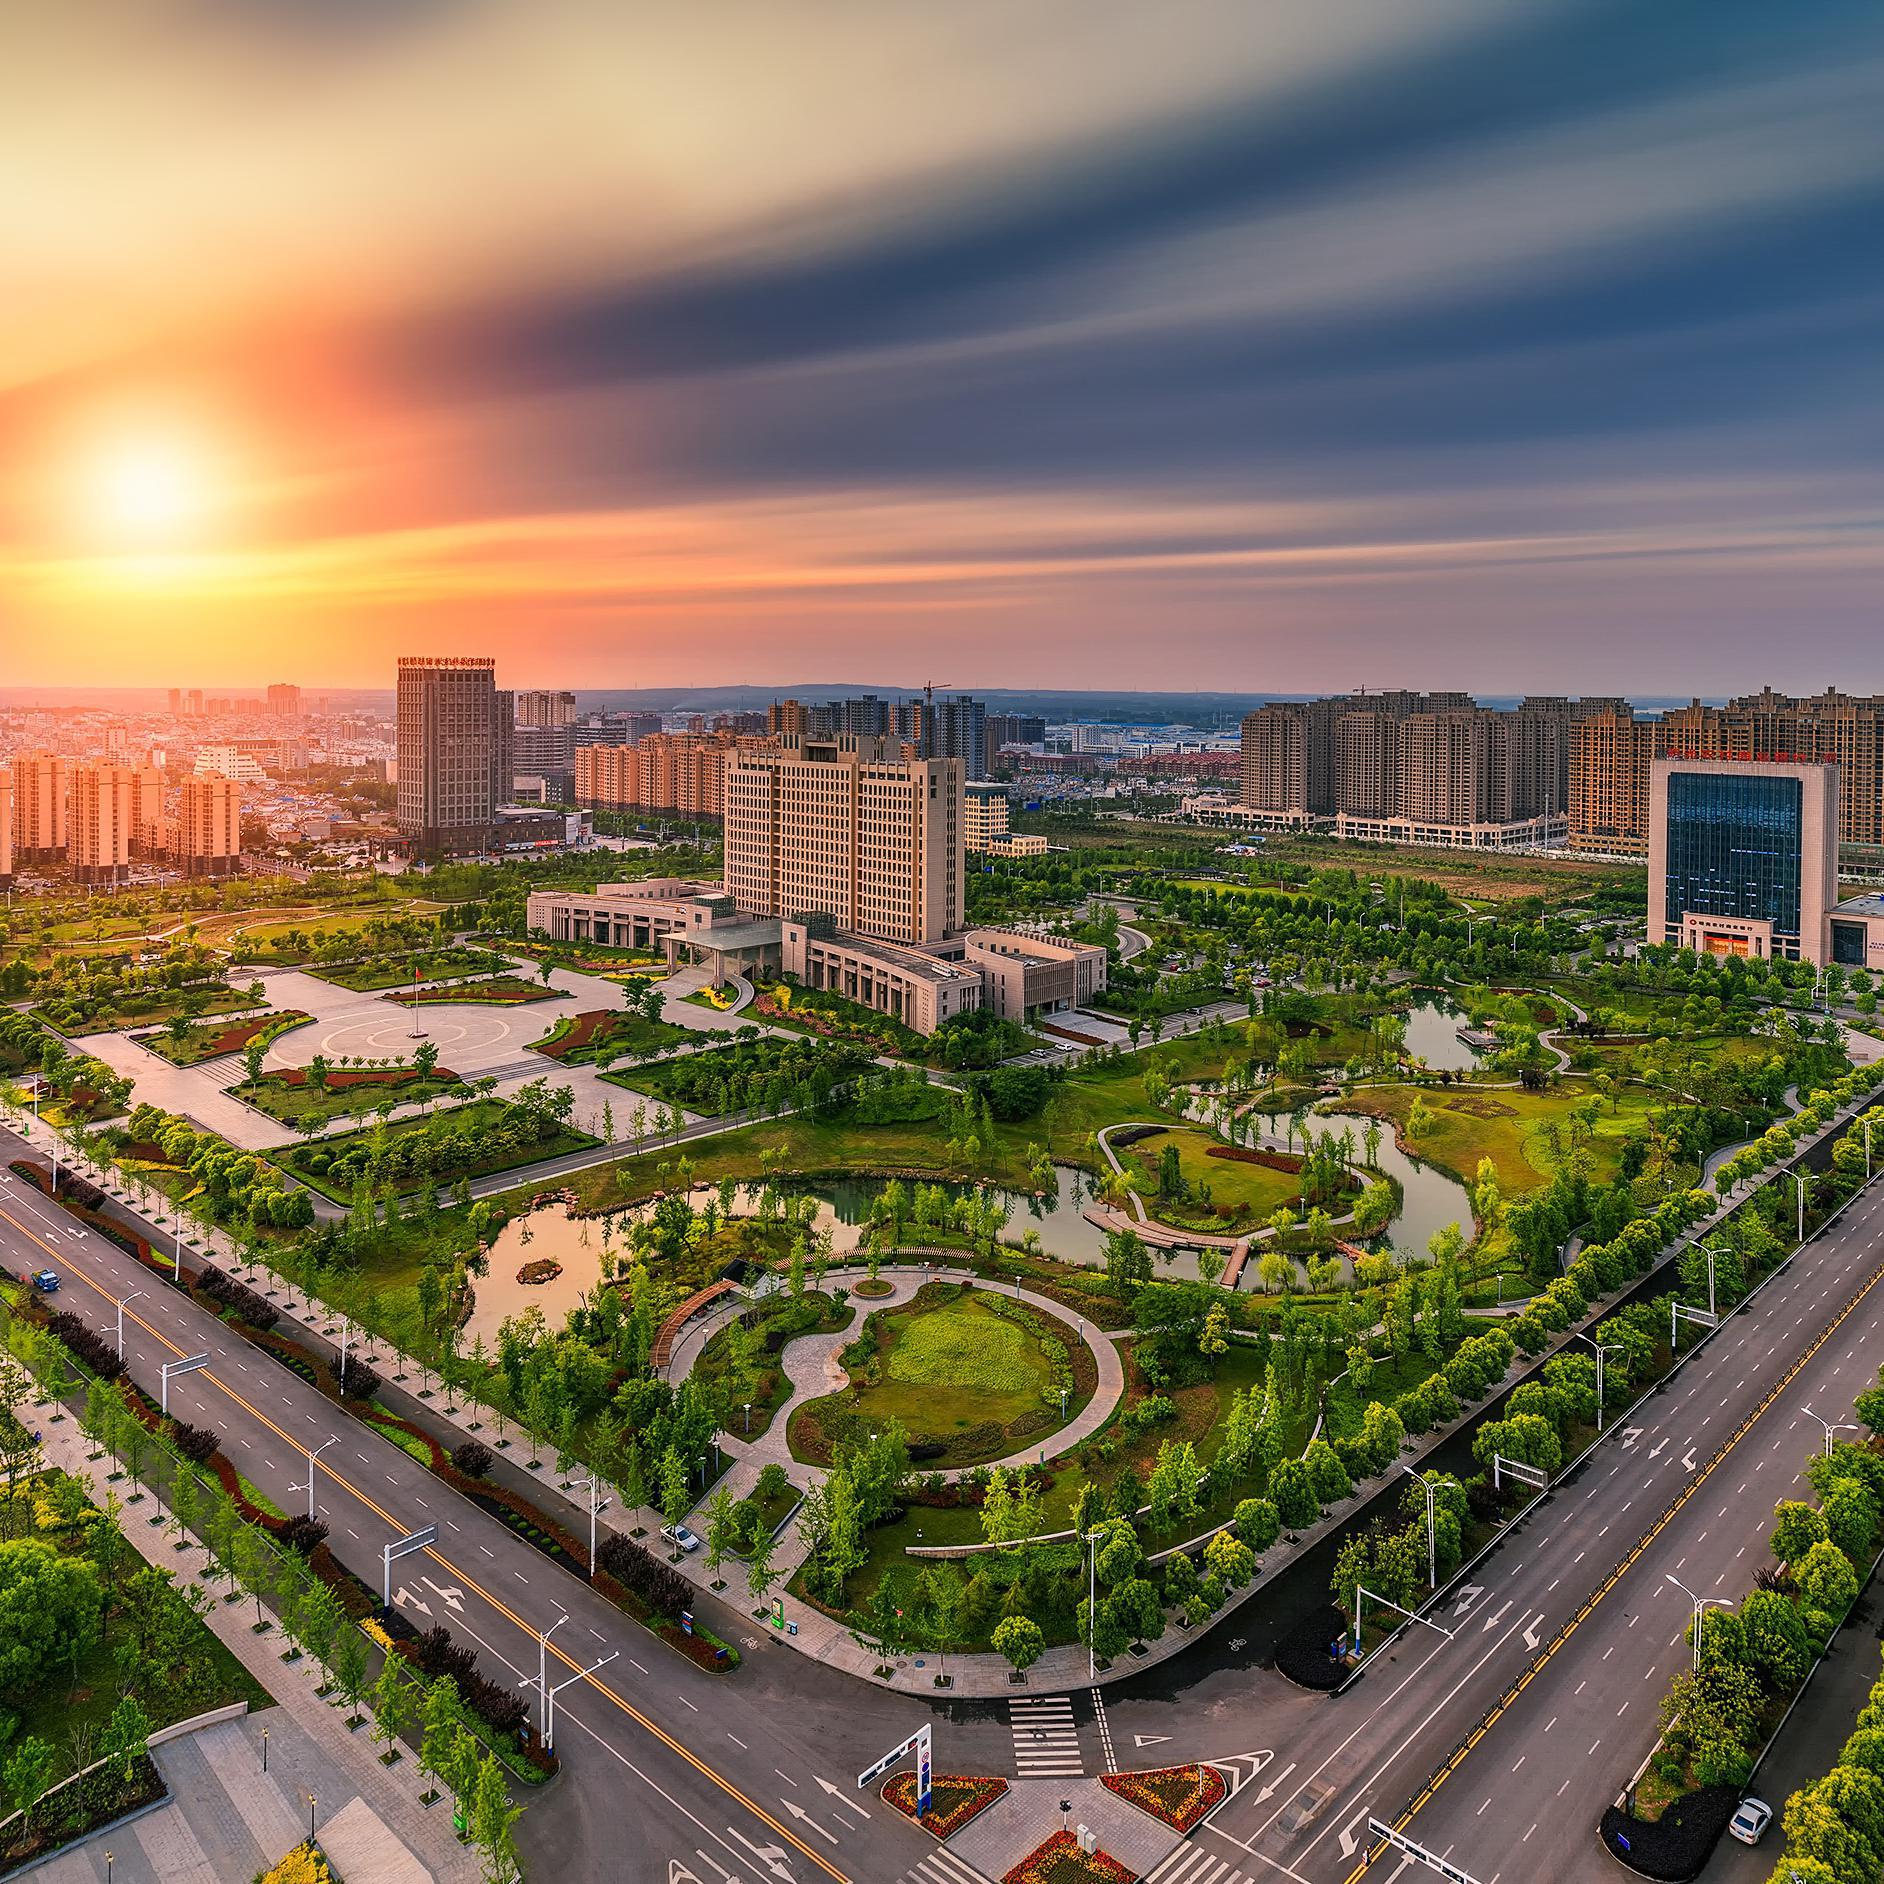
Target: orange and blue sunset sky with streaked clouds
<point>1258,346</point>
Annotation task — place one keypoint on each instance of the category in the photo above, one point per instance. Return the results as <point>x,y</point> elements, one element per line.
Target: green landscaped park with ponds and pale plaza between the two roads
<point>967,1344</point>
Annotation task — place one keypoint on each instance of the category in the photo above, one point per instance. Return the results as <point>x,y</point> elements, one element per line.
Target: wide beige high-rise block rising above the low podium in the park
<point>851,830</point>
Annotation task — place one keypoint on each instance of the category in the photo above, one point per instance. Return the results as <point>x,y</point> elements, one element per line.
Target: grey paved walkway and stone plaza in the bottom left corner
<point>231,1821</point>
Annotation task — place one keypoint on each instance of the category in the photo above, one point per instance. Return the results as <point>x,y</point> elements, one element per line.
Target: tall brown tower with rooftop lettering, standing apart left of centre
<point>455,745</point>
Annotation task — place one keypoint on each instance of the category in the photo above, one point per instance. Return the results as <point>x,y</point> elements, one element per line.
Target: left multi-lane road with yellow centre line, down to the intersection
<point>745,1776</point>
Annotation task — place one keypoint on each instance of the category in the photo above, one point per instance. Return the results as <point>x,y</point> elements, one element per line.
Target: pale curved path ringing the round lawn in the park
<point>815,1371</point>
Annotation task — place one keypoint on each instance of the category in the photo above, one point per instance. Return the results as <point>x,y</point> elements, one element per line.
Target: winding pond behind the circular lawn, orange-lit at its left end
<point>583,1244</point>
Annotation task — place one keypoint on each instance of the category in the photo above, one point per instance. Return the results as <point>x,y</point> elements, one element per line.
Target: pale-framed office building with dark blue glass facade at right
<point>1744,856</point>
